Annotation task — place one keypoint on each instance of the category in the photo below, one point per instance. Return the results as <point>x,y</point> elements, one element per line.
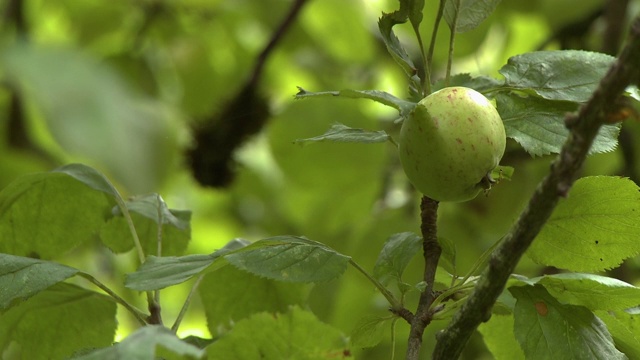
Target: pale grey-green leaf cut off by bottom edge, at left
<point>145,344</point>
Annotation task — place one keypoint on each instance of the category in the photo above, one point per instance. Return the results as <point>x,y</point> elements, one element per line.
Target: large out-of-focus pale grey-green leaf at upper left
<point>94,114</point>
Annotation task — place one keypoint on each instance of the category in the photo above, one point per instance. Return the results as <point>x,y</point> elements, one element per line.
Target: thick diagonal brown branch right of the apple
<point>583,129</point>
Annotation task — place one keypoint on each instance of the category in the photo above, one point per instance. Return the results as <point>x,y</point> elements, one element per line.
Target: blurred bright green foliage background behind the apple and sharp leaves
<point>124,86</point>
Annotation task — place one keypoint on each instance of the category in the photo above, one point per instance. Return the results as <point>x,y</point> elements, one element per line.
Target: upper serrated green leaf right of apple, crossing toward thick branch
<point>569,75</point>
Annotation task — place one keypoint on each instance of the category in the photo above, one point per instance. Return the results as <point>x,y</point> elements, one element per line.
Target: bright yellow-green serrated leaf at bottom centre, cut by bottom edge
<point>297,334</point>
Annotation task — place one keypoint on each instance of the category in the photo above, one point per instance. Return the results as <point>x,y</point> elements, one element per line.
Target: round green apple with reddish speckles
<point>450,142</point>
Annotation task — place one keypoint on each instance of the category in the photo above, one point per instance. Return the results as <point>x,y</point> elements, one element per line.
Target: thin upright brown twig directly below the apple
<point>431,251</point>
